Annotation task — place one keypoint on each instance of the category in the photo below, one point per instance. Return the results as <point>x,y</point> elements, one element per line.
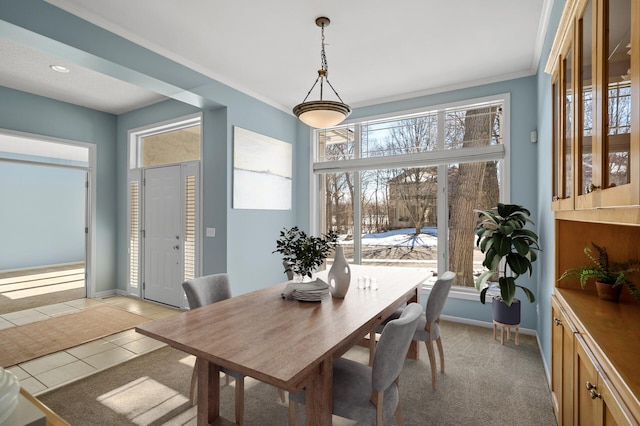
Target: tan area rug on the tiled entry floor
<point>30,341</point>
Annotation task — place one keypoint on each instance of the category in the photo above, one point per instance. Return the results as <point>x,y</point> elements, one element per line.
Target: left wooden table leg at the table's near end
<point>208,393</point>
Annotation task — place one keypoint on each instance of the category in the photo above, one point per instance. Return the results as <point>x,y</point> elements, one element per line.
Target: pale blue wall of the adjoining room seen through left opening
<point>42,215</point>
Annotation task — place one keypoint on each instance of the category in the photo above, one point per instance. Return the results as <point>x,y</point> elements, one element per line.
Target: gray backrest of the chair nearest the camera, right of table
<point>393,346</point>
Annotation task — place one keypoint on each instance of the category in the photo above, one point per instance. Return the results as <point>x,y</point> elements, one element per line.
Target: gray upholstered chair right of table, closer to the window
<point>428,329</point>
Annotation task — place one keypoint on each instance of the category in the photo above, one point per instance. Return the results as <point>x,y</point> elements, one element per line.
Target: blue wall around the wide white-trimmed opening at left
<point>28,113</point>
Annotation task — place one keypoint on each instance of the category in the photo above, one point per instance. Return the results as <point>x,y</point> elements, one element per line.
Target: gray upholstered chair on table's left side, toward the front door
<point>204,291</point>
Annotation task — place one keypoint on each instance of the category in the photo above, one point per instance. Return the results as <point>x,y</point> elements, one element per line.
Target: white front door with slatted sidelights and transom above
<point>164,210</point>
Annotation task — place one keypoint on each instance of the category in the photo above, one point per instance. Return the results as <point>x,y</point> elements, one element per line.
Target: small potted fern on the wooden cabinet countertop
<point>609,276</point>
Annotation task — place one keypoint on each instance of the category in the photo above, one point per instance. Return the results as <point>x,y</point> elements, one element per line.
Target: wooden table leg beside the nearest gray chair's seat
<point>319,404</point>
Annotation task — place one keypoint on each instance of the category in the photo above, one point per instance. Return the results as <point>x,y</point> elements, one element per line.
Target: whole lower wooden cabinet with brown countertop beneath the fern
<point>595,379</point>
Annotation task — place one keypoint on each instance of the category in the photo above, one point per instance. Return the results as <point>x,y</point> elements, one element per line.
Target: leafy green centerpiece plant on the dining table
<point>303,253</point>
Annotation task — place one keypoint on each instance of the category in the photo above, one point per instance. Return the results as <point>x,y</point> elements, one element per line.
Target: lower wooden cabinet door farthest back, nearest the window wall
<point>563,340</point>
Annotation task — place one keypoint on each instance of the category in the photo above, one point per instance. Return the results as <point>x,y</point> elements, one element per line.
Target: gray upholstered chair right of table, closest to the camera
<point>370,394</point>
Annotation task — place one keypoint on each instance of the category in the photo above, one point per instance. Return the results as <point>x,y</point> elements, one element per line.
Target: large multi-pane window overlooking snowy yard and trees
<point>402,191</point>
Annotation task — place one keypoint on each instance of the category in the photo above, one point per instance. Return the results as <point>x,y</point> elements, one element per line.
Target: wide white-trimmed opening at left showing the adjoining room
<point>47,211</point>
